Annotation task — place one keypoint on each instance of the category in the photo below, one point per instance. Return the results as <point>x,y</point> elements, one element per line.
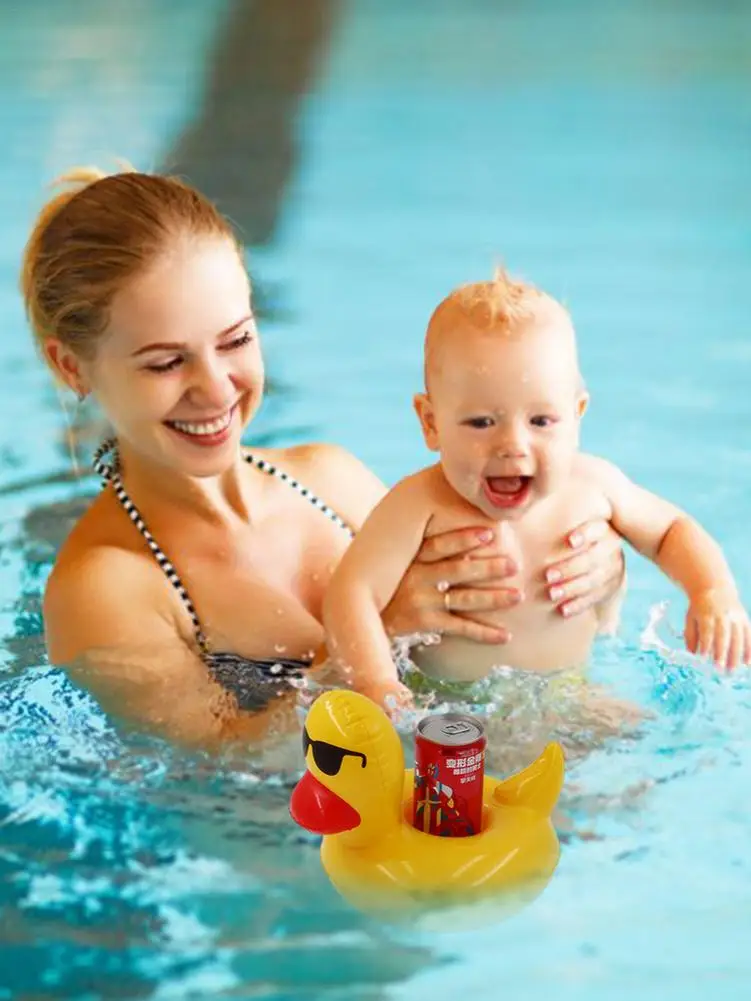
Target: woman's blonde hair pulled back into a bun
<point>91,240</point>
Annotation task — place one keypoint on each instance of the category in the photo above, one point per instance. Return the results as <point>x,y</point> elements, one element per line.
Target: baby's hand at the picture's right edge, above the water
<point>717,626</point>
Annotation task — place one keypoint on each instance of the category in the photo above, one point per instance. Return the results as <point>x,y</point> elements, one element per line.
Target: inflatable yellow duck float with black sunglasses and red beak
<point>358,794</point>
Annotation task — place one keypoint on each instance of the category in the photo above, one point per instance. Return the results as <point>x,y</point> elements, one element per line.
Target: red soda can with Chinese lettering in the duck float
<point>449,774</point>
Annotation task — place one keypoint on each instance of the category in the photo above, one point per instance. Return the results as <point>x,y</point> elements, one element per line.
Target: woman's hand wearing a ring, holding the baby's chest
<point>446,590</point>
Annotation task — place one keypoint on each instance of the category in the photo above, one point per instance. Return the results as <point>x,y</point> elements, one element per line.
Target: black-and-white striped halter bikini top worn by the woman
<point>255,682</point>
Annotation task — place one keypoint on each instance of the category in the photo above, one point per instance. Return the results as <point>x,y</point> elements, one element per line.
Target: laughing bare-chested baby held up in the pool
<point>503,404</point>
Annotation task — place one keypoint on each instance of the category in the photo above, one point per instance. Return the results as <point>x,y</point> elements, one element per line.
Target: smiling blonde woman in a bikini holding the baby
<point>189,596</point>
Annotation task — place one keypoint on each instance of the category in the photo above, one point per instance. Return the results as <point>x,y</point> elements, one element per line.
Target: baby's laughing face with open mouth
<point>504,412</point>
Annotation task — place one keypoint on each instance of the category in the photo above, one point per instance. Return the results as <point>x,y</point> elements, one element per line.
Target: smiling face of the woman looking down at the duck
<point>180,373</point>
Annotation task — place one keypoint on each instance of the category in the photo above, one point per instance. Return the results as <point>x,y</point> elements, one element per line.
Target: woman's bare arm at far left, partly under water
<point>111,625</point>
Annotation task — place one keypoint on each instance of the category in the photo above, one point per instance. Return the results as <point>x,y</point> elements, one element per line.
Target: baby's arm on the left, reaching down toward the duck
<point>367,580</point>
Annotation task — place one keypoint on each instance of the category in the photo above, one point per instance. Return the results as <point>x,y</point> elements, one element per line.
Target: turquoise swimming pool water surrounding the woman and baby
<point>602,152</point>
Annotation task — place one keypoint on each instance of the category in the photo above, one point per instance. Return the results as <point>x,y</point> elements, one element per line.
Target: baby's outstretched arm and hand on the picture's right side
<point>716,624</point>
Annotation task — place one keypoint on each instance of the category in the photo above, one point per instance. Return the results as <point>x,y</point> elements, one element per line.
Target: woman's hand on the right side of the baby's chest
<point>594,573</point>
